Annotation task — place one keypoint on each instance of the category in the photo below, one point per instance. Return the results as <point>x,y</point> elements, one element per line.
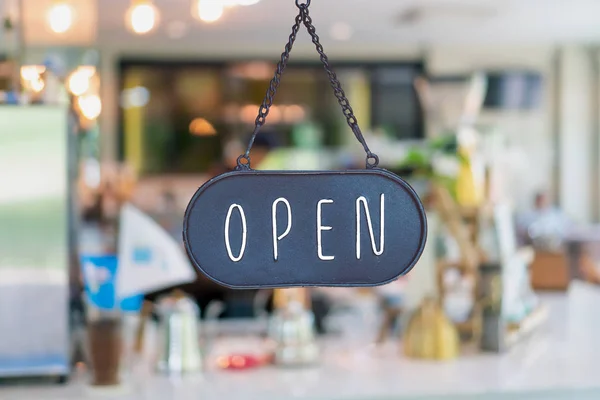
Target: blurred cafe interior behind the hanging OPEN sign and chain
<point>113,113</point>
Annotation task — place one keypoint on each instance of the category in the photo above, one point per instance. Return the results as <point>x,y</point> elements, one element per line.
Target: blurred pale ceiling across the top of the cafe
<point>373,23</point>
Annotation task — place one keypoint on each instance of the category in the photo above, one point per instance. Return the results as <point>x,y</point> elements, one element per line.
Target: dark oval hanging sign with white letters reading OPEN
<point>255,229</point>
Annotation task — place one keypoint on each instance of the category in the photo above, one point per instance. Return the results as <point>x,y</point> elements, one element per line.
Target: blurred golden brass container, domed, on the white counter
<point>430,334</point>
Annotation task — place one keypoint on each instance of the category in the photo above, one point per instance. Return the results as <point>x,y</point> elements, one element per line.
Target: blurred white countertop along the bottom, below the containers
<point>564,356</point>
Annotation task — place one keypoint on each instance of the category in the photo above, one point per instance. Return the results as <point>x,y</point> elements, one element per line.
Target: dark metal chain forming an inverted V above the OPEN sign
<point>243,161</point>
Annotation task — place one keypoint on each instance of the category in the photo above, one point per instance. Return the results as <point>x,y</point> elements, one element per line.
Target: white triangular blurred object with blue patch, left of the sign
<point>149,258</point>
